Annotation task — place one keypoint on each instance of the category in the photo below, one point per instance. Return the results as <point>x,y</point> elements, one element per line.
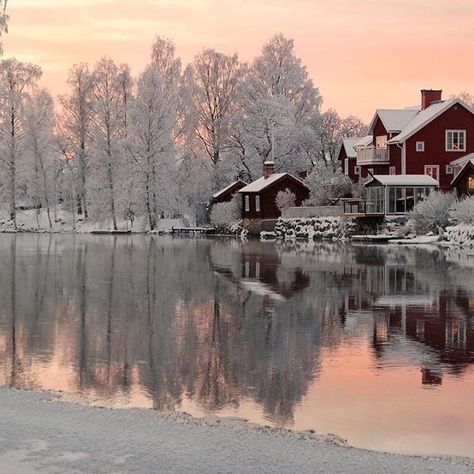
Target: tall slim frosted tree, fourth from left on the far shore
<point>108,139</point>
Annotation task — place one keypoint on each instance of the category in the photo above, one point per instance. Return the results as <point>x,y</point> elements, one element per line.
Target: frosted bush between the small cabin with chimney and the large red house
<point>326,185</point>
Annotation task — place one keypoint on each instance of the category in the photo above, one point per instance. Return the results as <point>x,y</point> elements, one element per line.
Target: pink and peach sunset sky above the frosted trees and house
<point>362,54</point>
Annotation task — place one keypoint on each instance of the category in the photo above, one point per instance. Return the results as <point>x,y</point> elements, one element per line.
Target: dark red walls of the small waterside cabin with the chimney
<point>268,208</point>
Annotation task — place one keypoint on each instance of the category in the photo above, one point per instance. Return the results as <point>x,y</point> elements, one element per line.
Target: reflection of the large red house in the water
<point>408,310</point>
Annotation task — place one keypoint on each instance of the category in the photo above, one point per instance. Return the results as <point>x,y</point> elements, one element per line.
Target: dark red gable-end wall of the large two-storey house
<point>455,118</point>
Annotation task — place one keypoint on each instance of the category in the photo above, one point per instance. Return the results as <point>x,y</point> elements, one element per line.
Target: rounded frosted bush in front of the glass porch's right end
<point>433,213</point>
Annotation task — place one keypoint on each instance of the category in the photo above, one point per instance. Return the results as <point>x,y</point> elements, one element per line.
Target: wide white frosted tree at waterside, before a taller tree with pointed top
<point>151,143</point>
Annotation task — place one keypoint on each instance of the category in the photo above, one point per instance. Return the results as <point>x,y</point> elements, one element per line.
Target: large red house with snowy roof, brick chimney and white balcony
<point>421,140</point>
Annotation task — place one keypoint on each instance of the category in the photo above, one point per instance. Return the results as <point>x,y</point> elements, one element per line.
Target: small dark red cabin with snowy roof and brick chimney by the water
<point>258,198</point>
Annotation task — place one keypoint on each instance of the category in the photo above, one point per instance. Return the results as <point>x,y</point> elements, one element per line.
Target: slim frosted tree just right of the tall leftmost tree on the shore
<point>40,151</point>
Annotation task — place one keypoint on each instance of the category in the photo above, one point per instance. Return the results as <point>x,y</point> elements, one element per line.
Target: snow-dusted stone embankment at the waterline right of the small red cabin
<point>315,228</point>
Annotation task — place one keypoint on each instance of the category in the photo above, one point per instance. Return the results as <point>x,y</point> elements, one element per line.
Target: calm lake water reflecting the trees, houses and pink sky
<point>373,344</point>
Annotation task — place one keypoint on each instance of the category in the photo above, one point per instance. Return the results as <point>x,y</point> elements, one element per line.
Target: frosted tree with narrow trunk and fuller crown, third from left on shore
<point>74,128</point>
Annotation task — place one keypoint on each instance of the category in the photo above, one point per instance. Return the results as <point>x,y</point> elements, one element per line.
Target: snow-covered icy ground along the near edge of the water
<point>40,434</point>
